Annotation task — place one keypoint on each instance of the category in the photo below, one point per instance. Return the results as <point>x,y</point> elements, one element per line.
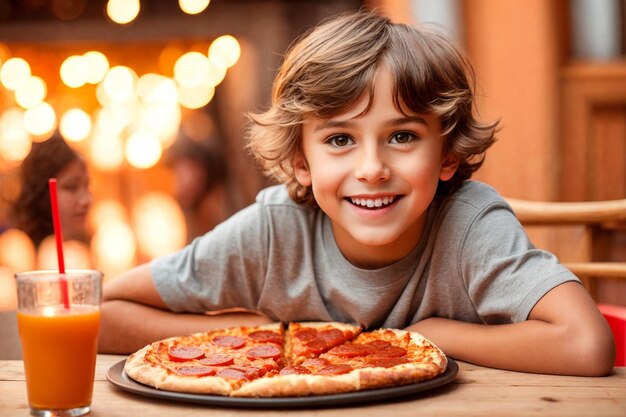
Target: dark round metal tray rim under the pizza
<point>118,377</point>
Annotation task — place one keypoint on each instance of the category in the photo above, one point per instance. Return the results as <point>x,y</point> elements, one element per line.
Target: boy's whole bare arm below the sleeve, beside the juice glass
<point>133,315</point>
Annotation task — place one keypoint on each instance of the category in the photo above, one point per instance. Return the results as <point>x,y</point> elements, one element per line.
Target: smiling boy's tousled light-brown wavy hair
<point>333,65</point>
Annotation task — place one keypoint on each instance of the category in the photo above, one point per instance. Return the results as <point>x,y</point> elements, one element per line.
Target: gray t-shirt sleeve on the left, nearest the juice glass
<point>225,268</point>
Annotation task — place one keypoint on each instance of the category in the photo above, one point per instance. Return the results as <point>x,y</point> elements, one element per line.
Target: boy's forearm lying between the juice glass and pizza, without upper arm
<point>127,326</point>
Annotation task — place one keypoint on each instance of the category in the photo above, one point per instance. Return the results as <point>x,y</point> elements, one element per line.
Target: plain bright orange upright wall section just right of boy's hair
<point>514,49</point>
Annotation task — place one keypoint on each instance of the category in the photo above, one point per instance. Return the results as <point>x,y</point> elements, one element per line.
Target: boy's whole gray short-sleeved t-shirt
<point>474,263</point>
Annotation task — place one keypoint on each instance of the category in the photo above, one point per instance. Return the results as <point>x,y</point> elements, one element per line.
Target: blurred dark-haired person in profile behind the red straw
<point>31,212</point>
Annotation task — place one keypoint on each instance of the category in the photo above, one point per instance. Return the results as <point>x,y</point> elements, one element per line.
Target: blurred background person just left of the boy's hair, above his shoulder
<point>200,178</point>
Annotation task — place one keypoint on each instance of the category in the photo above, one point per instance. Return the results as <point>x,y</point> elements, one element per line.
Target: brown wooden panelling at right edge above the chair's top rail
<point>594,131</point>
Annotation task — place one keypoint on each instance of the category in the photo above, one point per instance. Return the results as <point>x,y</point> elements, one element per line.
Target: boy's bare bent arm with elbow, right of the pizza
<point>565,334</point>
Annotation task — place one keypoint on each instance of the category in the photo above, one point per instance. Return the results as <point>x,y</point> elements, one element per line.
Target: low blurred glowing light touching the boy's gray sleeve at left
<point>159,224</point>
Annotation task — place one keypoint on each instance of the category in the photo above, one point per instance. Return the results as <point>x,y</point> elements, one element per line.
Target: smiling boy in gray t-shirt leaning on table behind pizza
<point>371,133</point>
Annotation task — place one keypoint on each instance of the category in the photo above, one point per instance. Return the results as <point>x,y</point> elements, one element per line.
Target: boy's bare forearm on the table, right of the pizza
<point>529,346</point>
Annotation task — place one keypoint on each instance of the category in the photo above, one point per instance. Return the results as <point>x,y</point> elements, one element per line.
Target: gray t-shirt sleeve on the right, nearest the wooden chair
<point>504,273</point>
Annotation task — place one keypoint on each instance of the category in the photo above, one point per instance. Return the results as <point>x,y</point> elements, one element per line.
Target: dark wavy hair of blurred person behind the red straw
<point>31,211</point>
